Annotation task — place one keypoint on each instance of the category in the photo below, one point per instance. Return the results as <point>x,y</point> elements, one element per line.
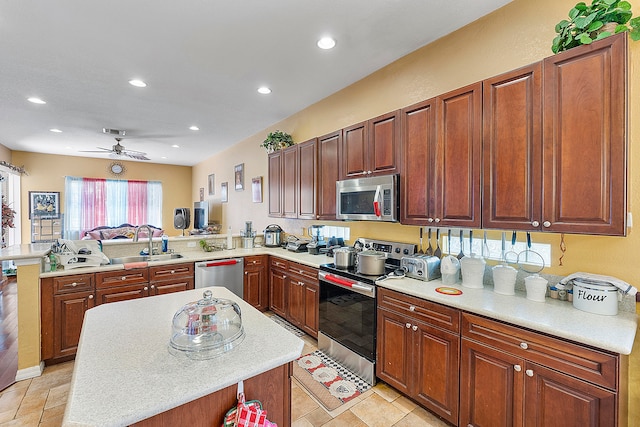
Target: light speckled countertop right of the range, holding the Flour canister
<point>554,317</point>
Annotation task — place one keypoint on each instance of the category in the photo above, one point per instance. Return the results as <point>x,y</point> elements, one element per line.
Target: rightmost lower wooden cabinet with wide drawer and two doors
<point>506,385</point>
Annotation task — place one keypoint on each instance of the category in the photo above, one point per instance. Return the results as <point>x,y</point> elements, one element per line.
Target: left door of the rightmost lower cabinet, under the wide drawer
<point>491,387</point>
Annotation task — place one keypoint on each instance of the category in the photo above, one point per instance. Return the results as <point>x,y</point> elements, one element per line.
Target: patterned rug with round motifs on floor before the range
<point>332,384</point>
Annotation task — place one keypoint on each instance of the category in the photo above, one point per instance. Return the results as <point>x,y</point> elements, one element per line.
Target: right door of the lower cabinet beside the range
<point>436,370</point>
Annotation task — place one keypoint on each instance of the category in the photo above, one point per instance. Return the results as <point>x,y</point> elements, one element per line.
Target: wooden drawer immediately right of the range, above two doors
<point>434,314</point>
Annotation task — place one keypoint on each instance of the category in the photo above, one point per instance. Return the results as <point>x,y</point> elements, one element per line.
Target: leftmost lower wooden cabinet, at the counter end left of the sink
<point>64,300</point>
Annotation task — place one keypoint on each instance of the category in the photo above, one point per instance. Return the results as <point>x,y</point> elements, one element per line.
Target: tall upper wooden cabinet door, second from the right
<point>512,150</point>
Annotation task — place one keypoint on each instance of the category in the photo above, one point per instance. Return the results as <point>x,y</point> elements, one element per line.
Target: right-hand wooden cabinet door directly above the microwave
<point>384,144</point>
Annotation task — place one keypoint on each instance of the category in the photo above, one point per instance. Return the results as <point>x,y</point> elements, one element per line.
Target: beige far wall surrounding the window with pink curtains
<point>47,172</point>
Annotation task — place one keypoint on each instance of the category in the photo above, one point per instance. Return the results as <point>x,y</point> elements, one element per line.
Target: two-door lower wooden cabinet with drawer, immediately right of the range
<point>416,357</point>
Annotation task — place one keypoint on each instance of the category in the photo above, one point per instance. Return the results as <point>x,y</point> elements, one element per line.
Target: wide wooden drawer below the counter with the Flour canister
<point>589,364</point>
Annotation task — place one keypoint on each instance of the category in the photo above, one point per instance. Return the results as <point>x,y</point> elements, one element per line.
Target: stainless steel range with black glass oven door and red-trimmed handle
<point>347,324</point>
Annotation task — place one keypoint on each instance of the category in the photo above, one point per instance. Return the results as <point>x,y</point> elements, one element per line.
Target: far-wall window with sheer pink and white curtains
<point>95,202</point>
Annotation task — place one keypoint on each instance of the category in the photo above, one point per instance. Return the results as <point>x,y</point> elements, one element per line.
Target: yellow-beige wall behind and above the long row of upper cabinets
<point>516,35</point>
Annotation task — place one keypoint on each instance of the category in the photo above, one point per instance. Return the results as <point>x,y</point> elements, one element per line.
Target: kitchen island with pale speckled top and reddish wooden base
<point>124,373</point>
